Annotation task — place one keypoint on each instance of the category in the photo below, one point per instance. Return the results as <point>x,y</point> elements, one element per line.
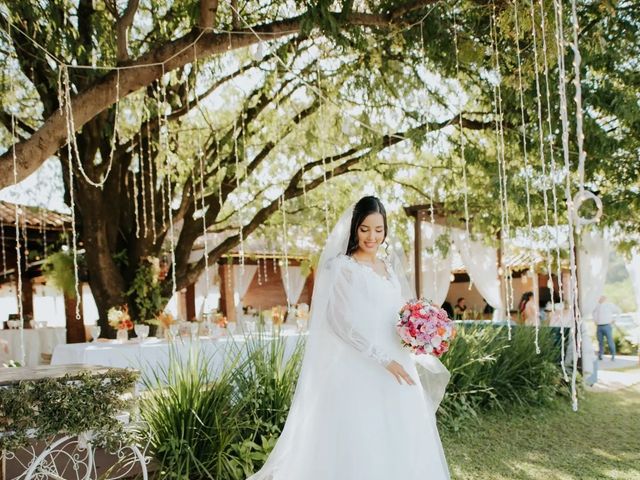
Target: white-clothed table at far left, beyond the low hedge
<point>37,341</point>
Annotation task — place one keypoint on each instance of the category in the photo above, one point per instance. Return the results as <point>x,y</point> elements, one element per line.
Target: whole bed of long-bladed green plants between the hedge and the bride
<point>222,427</point>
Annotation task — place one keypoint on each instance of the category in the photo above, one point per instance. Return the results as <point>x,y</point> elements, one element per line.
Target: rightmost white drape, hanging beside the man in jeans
<point>593,261</point>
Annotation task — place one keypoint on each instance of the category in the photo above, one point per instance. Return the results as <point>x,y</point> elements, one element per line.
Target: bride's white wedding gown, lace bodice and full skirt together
<point>350,418</point>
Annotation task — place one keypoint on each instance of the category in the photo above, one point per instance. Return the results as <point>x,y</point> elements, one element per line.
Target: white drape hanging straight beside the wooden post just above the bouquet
<point>436,270</point>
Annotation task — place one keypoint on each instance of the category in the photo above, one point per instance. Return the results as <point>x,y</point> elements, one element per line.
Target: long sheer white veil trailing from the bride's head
<point>317,357</point>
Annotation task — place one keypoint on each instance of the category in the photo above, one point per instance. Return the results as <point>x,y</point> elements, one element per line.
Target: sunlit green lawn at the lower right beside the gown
<point>601,441</point>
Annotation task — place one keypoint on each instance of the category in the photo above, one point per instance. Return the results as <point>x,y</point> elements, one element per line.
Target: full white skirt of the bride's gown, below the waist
<point>362,426</point>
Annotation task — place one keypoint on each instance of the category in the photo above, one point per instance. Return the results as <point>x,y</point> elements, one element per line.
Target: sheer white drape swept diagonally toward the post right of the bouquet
<point>481,262</point>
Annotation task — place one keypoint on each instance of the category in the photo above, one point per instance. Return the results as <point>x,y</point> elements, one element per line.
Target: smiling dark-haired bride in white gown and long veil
<point>362,409</point>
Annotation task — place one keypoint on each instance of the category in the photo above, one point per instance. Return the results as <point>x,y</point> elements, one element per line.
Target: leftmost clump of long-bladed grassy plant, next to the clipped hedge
<point>194,421</point>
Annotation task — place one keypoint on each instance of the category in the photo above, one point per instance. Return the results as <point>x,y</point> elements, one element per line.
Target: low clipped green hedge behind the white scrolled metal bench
<point>70,405</point>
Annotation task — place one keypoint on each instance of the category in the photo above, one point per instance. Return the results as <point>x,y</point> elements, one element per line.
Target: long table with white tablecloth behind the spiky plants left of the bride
<point>153,356</point>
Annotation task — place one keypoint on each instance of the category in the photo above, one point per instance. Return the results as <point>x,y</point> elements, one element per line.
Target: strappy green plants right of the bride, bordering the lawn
<point>490,371</point>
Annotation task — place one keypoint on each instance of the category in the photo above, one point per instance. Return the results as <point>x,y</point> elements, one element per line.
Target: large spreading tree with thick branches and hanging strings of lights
<point>337,92</point>
